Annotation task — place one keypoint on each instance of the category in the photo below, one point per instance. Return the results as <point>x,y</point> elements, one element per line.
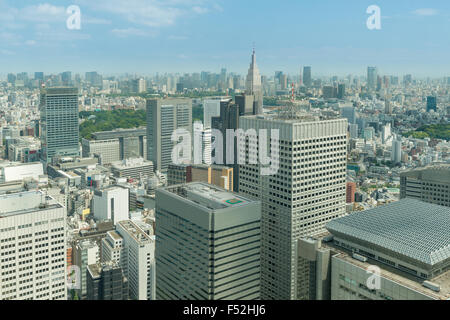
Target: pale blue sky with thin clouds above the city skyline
<point>149,36</point>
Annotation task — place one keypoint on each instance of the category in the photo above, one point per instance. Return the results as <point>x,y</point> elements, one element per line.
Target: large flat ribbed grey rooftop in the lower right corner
<point>412,228</point>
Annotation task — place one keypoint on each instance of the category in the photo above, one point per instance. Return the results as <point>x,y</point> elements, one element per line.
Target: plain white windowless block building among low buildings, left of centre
<point>111,203</point>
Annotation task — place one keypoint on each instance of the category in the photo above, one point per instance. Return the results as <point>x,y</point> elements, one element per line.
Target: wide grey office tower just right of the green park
<point>164,116</point>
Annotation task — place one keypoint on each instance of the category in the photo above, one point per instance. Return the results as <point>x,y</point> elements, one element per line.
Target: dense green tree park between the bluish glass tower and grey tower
<point>110,120</point>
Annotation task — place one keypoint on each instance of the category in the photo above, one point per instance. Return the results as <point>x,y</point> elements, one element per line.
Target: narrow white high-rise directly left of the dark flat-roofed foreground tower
<point>138,260</point>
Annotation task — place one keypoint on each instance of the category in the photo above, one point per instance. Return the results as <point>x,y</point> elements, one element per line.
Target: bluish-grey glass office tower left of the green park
<point>59,123</point>
